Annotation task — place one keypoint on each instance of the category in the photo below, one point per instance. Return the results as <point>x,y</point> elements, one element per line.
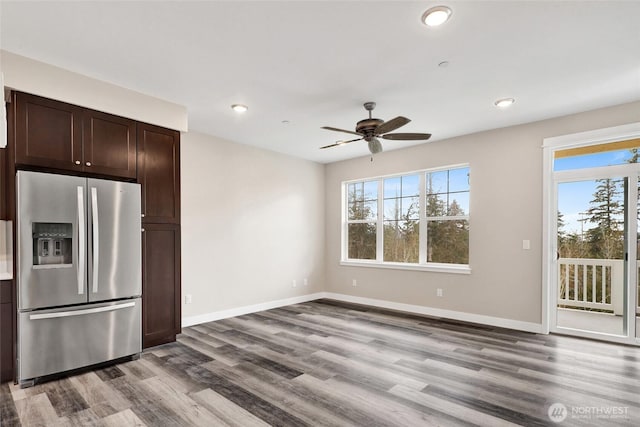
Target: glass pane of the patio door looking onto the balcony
<point>593,232</point>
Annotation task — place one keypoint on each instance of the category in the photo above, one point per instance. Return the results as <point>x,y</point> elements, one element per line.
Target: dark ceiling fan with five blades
<point>371,129</point>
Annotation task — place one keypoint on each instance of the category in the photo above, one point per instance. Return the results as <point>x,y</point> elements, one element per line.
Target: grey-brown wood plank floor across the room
<point>325,363</point>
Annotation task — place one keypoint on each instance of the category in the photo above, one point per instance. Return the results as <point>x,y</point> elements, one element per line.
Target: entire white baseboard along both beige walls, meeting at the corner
<point>408,308</point>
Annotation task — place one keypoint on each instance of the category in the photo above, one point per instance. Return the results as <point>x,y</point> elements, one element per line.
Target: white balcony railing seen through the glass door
<point>591,284</point>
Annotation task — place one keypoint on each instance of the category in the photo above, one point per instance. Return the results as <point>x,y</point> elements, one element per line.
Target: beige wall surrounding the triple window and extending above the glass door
<point>506,208</point>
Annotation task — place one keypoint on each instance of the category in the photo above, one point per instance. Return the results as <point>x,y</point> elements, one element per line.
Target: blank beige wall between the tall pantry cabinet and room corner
<point>252,222</point>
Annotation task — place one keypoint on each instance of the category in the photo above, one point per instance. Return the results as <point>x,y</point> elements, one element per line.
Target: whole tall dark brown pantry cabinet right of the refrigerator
<point>159,174</point>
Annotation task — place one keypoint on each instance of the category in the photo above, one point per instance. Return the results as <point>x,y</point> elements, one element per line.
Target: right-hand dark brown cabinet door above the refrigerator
<point>109,144</point>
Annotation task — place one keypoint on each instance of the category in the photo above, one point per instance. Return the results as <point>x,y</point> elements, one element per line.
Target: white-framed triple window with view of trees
<point>418,220</point>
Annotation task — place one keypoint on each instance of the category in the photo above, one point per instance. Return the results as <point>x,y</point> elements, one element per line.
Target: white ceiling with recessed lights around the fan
<point>313,63</point>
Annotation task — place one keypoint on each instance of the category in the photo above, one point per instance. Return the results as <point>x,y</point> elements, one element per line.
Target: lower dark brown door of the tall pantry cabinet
<point>160,284</point>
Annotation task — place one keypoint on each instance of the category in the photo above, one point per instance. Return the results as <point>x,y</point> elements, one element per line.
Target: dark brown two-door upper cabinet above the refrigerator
<point>57,135</point>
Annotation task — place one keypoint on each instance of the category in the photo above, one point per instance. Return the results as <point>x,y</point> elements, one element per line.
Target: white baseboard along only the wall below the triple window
<point>438,312</point>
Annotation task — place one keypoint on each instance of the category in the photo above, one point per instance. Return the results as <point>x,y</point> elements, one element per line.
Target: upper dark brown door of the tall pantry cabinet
<point>159,173</point>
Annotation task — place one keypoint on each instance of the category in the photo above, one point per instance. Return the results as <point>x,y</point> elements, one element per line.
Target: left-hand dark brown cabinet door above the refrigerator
<point>48,133</point>
